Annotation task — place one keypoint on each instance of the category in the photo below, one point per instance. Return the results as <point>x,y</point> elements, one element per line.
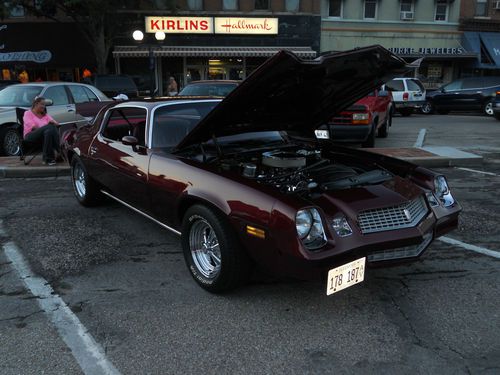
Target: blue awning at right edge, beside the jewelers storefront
<point>487,47</point>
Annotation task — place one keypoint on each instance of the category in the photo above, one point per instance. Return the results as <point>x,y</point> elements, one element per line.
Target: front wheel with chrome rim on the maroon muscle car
<point>218,268</point>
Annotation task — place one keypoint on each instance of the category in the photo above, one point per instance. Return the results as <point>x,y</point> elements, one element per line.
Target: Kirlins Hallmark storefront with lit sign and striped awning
<point>212,47</point>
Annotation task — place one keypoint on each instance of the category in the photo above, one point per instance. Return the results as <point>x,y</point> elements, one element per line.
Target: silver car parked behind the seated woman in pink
<point>63,95</point>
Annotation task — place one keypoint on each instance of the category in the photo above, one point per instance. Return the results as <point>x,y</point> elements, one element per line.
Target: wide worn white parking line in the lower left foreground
<point>87,352</point>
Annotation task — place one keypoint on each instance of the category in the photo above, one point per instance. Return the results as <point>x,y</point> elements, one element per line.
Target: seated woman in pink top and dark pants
<point>40,127</point>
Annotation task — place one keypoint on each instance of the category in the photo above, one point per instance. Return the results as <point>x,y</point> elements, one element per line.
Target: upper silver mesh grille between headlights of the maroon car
<point>391,218</point>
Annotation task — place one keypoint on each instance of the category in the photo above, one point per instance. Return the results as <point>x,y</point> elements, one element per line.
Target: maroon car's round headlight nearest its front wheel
<point>310,228</point>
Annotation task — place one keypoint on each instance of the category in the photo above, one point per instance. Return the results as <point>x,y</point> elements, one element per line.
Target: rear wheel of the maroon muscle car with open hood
<point>86,189</point>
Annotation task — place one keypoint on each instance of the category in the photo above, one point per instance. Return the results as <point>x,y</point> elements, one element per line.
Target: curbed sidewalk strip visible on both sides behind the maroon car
<point>433,157</point>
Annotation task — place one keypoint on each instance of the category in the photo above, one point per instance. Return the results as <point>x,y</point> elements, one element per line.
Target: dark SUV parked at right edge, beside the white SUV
<point>464,94</point>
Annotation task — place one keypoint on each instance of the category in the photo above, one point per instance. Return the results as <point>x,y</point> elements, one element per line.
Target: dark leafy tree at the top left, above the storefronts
<point>100,21</point>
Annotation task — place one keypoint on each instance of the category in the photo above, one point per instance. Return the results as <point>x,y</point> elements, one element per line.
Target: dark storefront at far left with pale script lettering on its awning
<point>30,52</point>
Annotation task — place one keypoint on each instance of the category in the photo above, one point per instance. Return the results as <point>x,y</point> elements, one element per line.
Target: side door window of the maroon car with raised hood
<point>126,121</point>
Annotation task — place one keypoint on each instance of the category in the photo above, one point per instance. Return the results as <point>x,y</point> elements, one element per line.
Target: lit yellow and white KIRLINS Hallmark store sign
<point>212,25</point>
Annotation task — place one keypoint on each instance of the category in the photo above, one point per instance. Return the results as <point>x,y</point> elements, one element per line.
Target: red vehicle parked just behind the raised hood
<point>369,117</point>
